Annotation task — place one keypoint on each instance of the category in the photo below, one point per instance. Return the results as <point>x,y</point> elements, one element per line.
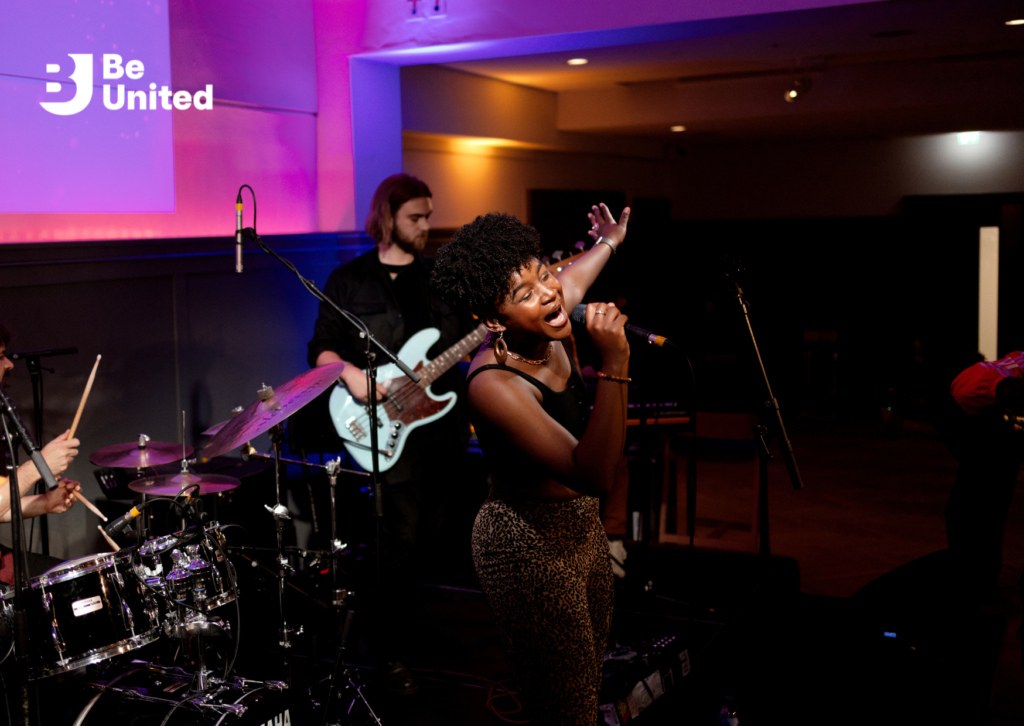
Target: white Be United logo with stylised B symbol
<point>118,98</point>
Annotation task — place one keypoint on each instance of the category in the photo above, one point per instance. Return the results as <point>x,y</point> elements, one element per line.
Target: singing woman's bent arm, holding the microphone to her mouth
<point>510,405</point>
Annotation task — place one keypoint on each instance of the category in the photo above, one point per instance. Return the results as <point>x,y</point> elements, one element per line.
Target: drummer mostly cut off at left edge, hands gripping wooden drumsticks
<point>59,455</point>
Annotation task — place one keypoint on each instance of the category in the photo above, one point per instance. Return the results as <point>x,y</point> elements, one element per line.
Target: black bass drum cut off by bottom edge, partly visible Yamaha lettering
<point>145,698</point>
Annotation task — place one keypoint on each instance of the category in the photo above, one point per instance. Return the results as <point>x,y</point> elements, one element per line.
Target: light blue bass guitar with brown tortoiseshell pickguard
<point>408,405</point>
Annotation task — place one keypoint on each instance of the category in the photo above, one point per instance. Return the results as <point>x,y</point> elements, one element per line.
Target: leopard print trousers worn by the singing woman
<point>546,574</point>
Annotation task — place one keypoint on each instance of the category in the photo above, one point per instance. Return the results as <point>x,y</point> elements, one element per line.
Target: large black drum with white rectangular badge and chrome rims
<point>86,611</point>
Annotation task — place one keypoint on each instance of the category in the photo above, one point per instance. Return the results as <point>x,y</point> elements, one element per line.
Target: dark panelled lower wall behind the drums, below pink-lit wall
<point>179,331</point>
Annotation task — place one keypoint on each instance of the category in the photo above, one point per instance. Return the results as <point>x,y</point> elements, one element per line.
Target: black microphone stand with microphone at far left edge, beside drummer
<point>12,420</point>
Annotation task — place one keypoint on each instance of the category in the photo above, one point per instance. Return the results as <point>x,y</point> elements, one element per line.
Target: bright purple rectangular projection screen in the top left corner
<point>66,144</point>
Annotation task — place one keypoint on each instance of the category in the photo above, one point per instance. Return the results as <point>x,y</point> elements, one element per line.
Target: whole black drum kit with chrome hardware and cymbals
<point>92,610</point>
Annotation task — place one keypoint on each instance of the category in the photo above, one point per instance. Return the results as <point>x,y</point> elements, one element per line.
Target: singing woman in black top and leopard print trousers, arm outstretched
<point>539,547</point>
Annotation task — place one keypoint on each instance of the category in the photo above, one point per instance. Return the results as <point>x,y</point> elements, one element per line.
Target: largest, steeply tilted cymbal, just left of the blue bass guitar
<point>274,407</point>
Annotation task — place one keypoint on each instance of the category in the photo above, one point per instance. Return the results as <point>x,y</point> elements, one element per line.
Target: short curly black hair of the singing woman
<point>475,271</point>
